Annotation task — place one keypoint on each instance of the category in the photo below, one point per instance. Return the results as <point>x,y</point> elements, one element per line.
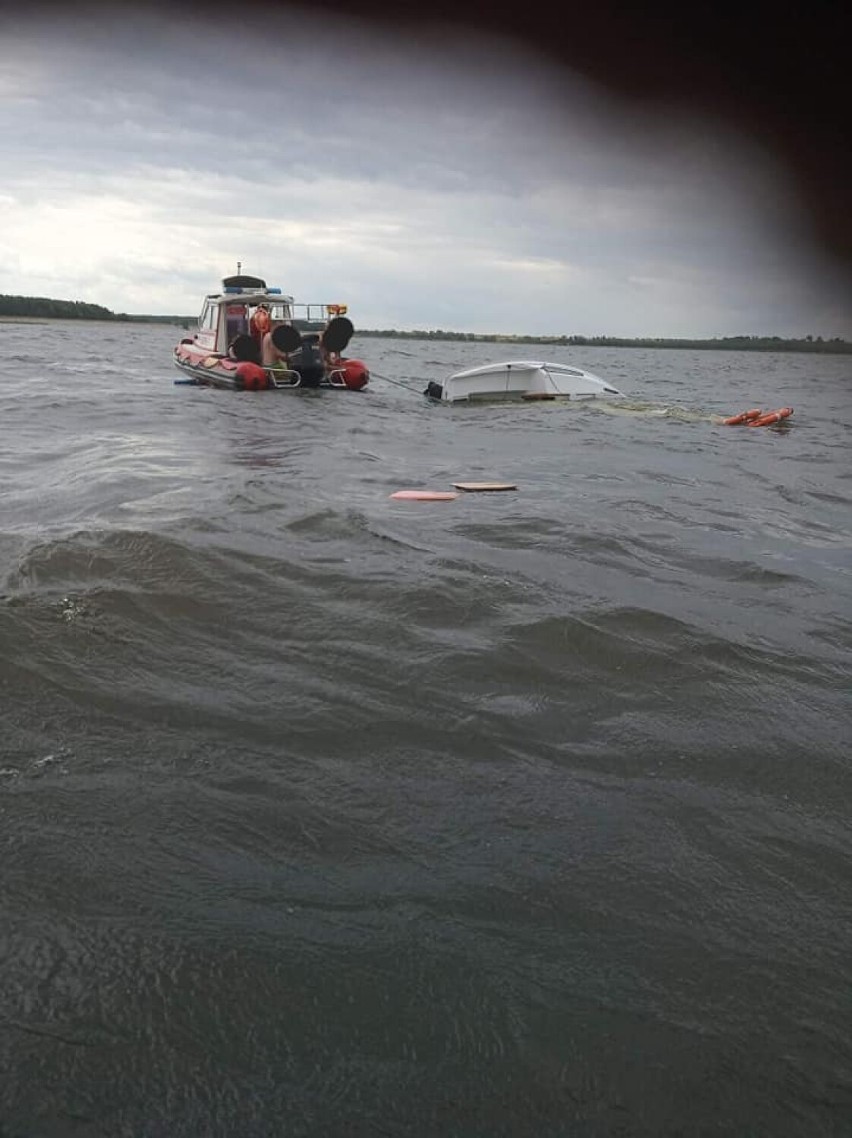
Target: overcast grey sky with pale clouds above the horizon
<point>431,183</point>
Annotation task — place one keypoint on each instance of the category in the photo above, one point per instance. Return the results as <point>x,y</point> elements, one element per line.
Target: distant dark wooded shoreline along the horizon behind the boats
<point>42,310</point>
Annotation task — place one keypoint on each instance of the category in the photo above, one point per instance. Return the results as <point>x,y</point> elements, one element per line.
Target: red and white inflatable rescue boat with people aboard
<point>253,337</point>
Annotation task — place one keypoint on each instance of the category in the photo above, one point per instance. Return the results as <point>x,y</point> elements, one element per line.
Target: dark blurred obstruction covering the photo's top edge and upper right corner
<point>780,75</point>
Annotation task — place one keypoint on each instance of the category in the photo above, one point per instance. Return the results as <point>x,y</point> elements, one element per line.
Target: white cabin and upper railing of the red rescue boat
<point>235,312</point>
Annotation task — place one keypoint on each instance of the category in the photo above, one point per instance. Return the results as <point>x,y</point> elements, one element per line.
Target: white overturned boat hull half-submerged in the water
<point>523,380</point>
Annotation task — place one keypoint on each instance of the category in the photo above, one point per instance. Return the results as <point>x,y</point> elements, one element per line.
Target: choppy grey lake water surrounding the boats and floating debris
<point>328,815</point>
